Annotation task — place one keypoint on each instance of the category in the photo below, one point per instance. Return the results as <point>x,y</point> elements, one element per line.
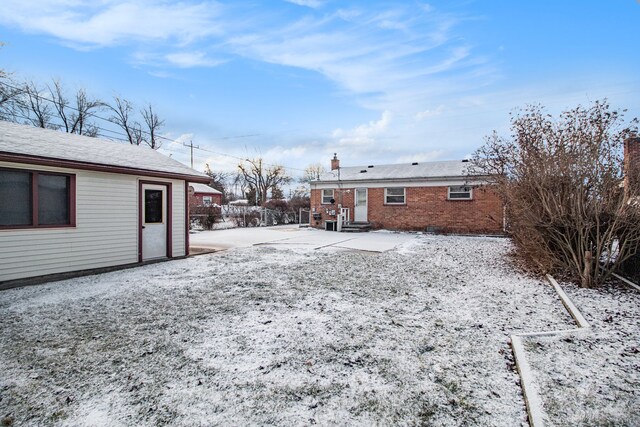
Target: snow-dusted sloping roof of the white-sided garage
<point>21,143</point>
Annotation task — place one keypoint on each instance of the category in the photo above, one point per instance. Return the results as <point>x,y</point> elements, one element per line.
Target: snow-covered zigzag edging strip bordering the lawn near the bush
<point>535,410</point>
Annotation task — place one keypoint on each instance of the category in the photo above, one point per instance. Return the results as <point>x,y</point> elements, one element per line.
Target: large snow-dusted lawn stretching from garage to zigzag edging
<point>280,334</point>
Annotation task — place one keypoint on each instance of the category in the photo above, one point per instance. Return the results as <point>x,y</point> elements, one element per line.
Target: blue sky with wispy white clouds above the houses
<point>377,82</point>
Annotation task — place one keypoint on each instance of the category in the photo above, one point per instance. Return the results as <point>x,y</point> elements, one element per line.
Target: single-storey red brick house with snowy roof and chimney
<point>432,196</point>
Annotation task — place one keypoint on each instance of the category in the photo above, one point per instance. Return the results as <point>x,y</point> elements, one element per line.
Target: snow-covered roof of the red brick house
<point>409,171</point>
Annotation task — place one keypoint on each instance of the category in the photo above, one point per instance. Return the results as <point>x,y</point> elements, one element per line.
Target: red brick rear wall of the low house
<point>425,207</point>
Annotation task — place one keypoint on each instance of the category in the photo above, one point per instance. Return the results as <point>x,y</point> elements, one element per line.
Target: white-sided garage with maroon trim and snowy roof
<point>111,193</point>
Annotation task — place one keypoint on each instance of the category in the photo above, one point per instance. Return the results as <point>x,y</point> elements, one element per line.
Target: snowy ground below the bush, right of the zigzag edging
<point>593,377</point>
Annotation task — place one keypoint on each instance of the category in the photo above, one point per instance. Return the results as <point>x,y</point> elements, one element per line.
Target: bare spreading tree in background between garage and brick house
<point>260,179</point>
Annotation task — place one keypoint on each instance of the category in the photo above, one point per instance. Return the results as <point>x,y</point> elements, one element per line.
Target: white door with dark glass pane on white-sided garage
<point>154,221</point>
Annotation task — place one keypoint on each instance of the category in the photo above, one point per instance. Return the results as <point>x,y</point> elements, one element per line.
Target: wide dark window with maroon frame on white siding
<point>35,199</point>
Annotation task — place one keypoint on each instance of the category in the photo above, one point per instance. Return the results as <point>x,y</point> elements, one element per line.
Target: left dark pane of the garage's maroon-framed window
<point>15,197</point>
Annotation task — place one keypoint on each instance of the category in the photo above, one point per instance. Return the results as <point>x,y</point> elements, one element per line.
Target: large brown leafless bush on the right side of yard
<point>561,182</point>
